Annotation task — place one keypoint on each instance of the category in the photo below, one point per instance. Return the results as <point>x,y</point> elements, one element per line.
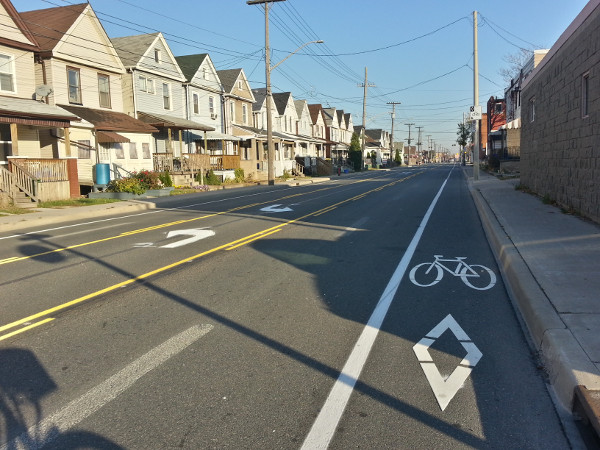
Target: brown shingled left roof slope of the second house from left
<point>50,25</point>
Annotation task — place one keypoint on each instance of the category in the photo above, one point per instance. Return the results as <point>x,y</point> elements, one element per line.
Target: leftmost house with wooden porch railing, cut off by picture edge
<point>28,125</point>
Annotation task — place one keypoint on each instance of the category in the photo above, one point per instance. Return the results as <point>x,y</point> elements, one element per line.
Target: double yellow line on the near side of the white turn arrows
<point>228,246</point>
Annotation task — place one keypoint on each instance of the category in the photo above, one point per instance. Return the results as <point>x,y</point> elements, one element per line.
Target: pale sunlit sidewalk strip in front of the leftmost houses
<point>84,212</point>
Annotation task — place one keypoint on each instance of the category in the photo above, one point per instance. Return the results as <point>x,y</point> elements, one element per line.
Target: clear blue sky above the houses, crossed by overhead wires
<point>418,53</point>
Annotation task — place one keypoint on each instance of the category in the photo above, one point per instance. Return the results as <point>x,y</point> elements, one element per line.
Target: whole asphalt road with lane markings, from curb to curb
<point>271,317</point>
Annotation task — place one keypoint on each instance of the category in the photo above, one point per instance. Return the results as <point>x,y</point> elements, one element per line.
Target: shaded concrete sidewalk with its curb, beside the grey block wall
<point>551,266</point>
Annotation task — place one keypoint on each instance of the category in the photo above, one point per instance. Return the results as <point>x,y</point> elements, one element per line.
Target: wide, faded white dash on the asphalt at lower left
<point>39,435</point>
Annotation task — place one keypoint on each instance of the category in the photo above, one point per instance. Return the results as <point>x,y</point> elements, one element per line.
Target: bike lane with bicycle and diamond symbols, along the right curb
<point>451,367</point>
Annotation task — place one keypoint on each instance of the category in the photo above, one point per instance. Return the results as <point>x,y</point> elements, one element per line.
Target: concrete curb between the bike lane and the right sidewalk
<point>566,362</point>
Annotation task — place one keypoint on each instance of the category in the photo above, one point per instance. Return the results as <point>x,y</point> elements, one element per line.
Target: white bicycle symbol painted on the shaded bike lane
<point>475,276</point>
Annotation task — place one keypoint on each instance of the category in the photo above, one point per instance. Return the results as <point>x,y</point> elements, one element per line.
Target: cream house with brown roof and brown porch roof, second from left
<point>84,74</point>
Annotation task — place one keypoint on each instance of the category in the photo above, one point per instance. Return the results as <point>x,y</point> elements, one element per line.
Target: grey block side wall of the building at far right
<point>560,149</point>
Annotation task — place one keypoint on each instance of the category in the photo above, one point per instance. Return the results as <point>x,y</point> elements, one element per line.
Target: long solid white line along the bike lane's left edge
<point>327,421</point>
